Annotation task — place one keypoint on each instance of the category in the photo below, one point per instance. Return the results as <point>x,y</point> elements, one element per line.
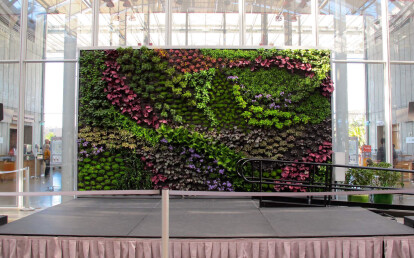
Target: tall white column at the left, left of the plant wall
<point>22,95</point>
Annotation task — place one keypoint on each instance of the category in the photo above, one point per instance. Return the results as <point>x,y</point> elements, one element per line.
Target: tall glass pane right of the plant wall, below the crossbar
<point>358,112</point>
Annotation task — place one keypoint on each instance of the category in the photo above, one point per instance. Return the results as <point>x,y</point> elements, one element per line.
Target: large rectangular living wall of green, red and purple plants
<point>182,118</point>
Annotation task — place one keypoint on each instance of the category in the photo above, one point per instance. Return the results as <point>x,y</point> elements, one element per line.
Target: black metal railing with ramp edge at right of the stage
<point>319,178</point>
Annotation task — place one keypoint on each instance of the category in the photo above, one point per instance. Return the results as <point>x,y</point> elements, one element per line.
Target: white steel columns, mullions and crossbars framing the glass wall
<point>22,61</point>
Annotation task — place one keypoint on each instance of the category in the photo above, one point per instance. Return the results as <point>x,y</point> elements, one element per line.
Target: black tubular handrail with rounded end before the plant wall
<point>309,183</point>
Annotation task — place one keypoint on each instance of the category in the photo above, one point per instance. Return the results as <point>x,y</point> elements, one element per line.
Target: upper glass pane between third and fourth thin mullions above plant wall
<point>278,23</point>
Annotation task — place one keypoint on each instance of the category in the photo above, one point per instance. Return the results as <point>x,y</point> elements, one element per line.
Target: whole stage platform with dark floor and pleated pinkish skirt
<point>203,227</point>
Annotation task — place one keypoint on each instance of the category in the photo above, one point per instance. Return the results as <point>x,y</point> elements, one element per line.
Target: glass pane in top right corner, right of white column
<point>401,30</point>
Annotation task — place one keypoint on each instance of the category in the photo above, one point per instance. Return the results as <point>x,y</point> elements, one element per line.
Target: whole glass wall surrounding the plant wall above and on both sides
<point>353,30</point>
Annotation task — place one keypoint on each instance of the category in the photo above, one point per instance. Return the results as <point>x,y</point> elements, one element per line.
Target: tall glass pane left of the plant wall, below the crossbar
<point>43,129</point>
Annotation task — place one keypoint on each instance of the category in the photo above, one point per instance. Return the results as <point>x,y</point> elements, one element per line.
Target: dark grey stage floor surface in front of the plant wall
<point>200,218</point>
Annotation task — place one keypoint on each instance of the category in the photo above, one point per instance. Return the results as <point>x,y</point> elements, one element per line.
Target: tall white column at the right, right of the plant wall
<point>387,80</point>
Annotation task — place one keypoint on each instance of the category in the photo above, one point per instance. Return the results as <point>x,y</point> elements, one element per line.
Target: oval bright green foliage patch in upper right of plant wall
<point>278,99</point>
